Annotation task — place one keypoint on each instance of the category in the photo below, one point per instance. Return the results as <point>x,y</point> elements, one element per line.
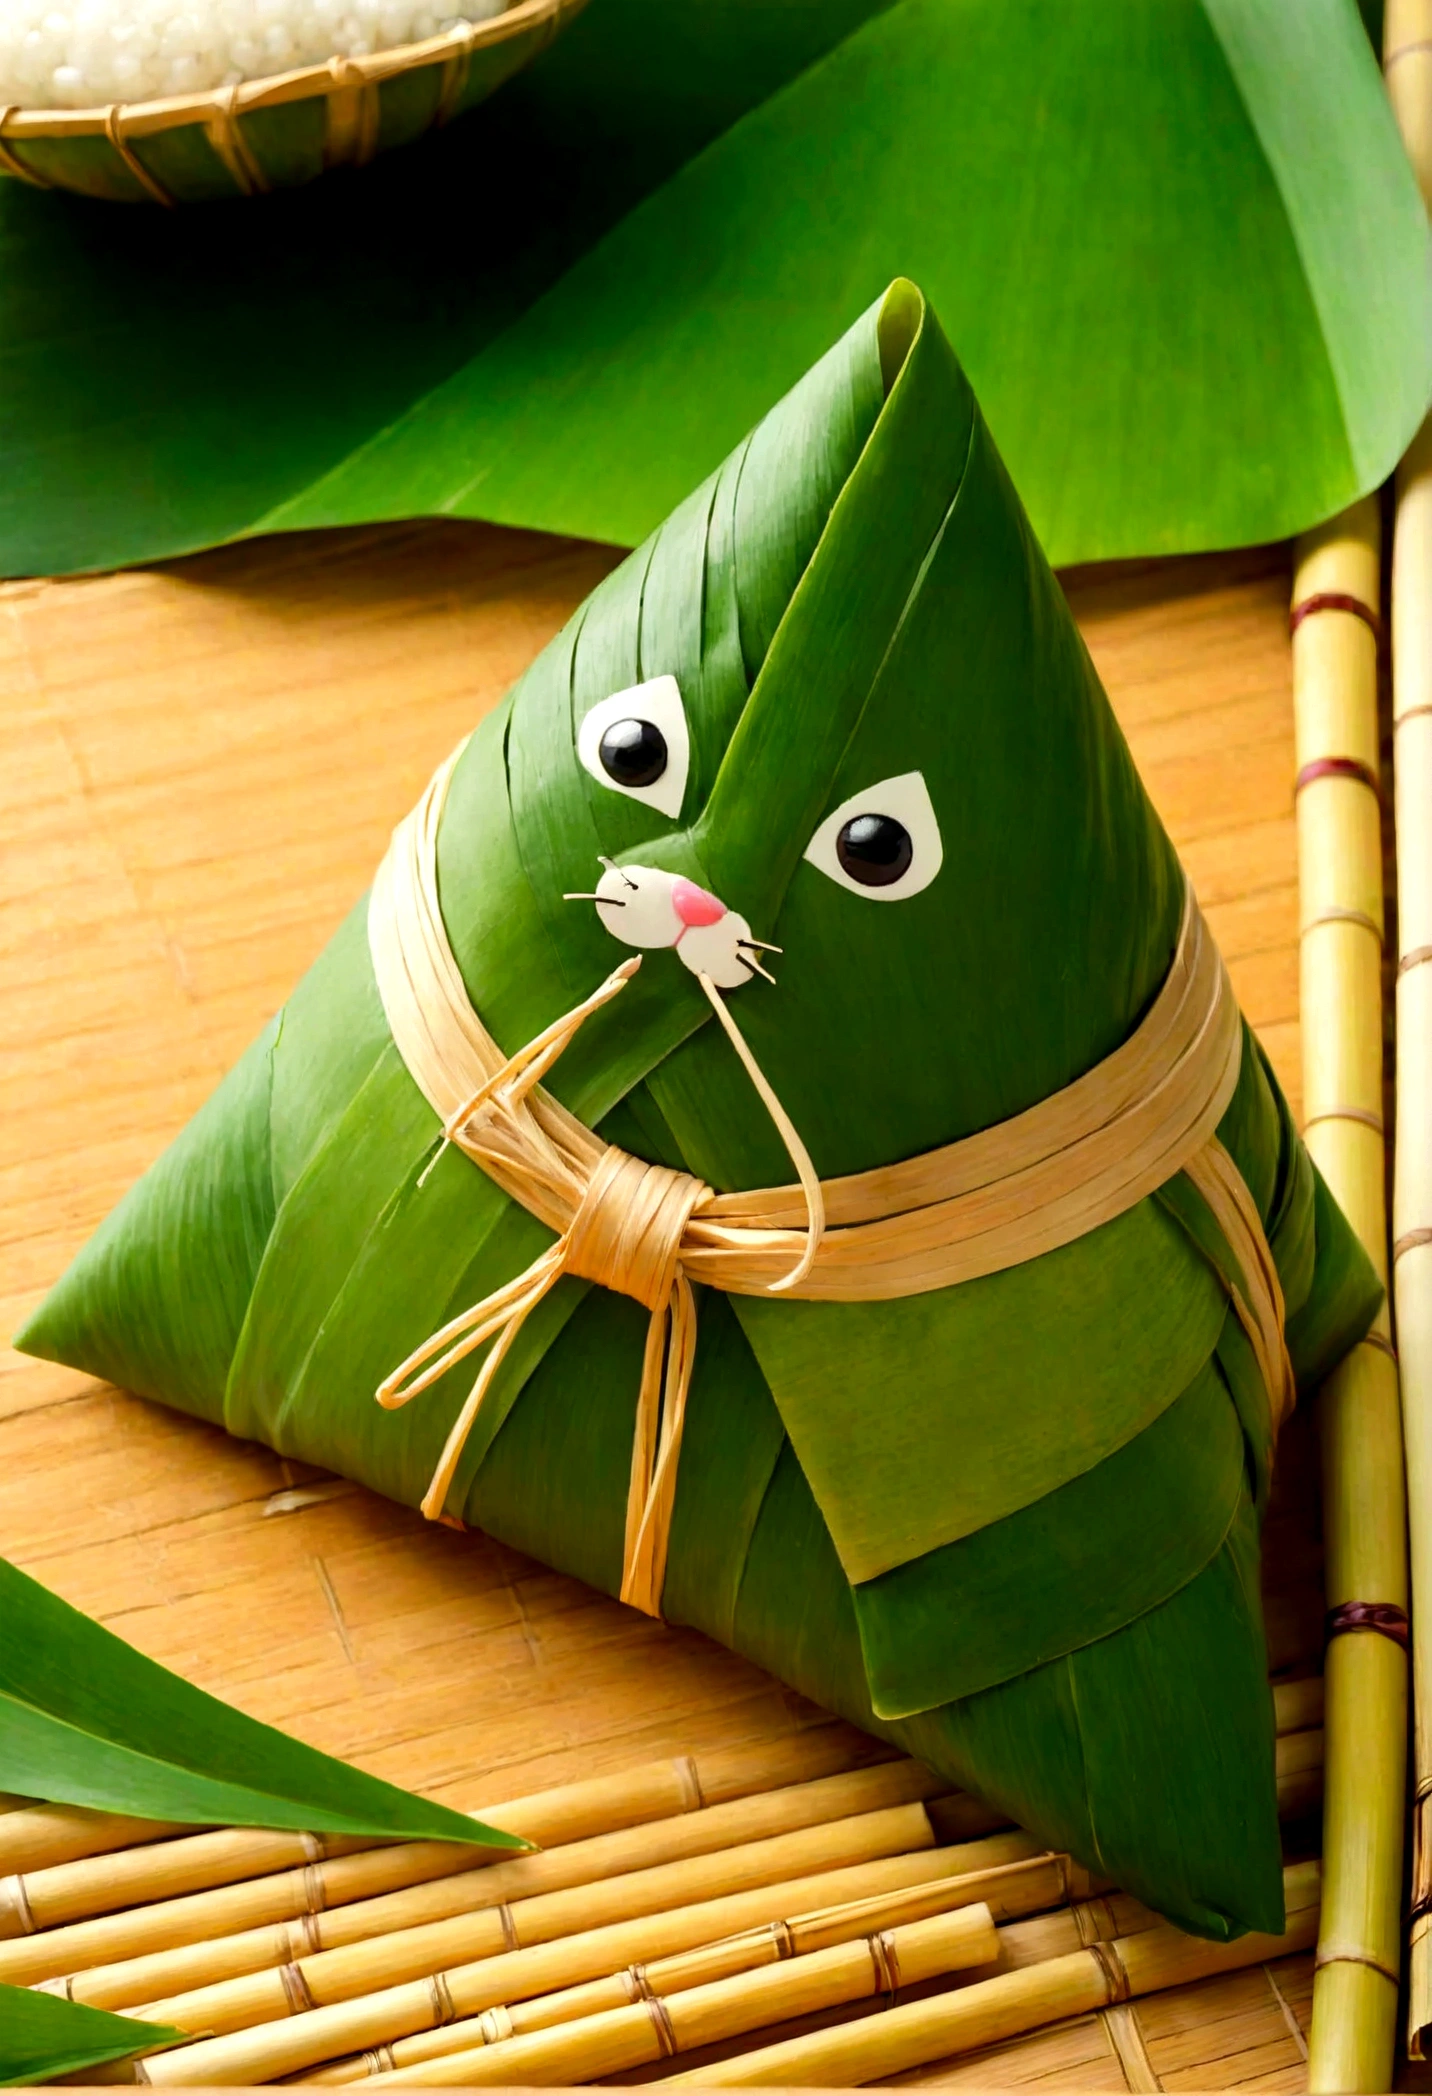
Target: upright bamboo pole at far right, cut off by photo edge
<point>1408,62</point>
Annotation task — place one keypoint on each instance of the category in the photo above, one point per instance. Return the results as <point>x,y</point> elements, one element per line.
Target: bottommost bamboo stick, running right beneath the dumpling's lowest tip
<point>997,2009</point>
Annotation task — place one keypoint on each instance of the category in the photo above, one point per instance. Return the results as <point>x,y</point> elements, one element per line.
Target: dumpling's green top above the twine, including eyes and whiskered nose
<point>859,728</point>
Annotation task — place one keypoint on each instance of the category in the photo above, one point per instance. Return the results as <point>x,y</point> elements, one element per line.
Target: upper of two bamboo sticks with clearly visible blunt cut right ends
<point>223,1948</point>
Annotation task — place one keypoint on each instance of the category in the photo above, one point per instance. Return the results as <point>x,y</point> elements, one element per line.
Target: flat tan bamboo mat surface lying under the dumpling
<point>198,772</point>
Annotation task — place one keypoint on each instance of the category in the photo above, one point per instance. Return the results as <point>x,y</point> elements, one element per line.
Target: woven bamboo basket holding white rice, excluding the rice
<point>282,131</point>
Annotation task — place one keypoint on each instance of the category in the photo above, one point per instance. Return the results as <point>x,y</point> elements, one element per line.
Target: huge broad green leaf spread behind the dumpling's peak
<point>1177,246</point>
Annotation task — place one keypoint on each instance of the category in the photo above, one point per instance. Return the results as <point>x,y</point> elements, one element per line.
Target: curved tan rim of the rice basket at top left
<point>221,106</point>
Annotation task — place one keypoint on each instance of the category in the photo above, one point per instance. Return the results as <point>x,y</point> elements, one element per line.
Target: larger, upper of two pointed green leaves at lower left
<point>85,1720</point>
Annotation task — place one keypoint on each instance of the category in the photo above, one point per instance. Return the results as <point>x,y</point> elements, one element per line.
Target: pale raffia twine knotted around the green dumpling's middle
<point>959,1213</point>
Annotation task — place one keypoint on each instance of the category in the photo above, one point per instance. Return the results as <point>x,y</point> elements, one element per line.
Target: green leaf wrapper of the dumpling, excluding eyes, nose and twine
<point>1010,1525</point>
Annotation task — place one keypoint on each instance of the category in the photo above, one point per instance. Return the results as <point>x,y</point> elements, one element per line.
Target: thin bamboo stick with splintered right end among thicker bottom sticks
<point>1012,1890</point>
